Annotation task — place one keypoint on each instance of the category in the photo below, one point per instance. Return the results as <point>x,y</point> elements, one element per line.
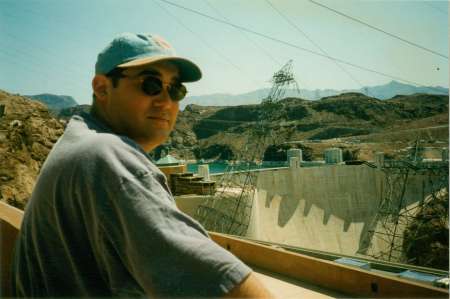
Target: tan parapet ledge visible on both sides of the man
<point>323,273</point>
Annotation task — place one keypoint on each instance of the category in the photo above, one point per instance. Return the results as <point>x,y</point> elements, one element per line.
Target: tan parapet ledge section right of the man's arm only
<point>327,274</point>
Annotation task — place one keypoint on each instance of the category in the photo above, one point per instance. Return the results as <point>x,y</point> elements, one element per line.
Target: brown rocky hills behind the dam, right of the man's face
<point>245,130</point>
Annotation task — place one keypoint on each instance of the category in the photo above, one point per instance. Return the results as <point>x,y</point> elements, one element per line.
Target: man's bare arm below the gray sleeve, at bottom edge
<point>251,287</point>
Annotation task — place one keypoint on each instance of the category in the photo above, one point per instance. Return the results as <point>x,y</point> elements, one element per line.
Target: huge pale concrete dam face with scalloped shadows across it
<point>344,209</point>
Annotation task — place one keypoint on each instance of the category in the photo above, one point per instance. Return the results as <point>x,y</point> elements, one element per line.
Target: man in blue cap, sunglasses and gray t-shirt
<point>101,220</point>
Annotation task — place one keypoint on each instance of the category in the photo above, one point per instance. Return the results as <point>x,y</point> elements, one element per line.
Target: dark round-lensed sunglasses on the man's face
<point>153,86</point>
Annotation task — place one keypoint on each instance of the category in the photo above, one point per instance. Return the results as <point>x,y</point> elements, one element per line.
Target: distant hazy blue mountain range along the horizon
<point>381,92</point>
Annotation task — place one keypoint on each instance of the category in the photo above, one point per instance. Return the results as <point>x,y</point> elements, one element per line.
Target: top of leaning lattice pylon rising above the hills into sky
<point>282,80</point>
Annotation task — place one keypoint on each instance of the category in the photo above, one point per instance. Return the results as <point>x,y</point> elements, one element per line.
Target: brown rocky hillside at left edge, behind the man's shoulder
<point>27,133</point>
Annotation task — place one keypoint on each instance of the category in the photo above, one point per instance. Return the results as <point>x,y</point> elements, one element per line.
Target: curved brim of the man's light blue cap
<point>188,71</point>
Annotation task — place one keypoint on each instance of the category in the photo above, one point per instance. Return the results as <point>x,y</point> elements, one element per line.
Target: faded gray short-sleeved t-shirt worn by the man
<point>101,222</point>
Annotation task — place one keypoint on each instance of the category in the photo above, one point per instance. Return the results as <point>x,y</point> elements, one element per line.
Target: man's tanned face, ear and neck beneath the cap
<point>130,111</point>
